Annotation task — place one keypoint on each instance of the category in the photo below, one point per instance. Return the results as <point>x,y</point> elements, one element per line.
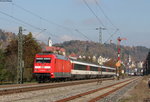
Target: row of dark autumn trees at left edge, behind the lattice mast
<point>8,59</point>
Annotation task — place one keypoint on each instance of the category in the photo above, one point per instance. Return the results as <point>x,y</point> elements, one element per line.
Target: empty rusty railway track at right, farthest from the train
<point>97,94</point>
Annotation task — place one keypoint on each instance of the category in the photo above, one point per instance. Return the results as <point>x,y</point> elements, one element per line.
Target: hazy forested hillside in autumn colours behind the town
<point>137,53</point>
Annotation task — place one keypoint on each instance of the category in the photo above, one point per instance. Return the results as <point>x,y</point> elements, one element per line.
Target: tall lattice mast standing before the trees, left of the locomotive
<point>20,61</point>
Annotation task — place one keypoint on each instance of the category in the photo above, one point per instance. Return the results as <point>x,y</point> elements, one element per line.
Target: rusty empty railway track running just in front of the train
<point>33,87</point>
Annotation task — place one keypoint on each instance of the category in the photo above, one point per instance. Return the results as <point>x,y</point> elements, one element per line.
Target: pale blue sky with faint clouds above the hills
<point>65,20</point>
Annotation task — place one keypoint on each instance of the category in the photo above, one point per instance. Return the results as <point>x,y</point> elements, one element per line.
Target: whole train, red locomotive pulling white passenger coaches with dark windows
<point>48,66</point>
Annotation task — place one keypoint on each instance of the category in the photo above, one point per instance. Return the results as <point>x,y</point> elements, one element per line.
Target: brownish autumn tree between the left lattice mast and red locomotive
<point>30,48</point>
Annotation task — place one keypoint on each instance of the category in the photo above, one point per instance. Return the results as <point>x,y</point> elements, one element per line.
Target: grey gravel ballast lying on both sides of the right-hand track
<point>51,95</point>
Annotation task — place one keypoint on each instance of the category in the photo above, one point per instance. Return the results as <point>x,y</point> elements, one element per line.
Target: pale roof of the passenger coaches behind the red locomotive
<point>89,64</point>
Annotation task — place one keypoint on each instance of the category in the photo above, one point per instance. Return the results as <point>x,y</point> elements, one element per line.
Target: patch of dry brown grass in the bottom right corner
<point>139,93</point>
